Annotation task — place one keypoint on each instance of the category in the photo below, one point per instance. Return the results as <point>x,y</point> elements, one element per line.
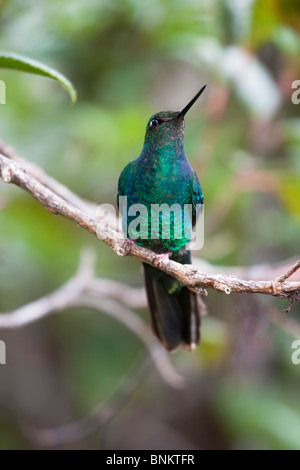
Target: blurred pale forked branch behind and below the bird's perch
<point>84,290</point>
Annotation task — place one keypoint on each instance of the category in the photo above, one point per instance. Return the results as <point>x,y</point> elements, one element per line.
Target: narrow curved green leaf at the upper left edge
<point>10,60</point>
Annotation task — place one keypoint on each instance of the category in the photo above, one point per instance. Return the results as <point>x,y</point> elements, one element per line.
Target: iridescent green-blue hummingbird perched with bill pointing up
<point>162,175</point>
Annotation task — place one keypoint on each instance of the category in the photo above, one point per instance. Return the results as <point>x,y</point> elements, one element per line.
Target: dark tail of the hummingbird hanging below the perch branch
<point>175,310</point>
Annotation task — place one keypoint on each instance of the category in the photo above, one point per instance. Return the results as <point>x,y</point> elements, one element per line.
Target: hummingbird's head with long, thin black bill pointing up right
<point>167,127</point>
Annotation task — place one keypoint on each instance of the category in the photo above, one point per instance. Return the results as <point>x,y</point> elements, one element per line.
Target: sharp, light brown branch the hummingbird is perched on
<point>51,195</point>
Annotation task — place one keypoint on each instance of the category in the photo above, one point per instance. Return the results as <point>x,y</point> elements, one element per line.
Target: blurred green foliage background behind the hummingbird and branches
<point>129,59</point>
